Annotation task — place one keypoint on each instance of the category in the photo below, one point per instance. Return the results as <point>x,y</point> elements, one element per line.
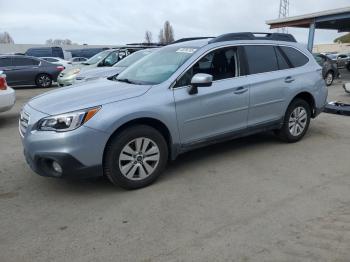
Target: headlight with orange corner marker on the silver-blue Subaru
<point>68,121</point>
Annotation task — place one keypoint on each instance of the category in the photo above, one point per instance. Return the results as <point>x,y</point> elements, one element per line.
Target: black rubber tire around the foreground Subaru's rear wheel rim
<point>285,133</point>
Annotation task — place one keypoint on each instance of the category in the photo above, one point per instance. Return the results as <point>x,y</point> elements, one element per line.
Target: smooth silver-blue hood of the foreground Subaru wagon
<point>85,95</point>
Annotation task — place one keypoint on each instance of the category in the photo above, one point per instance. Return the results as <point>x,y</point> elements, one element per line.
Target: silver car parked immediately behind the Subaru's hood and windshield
<point>105,72</point>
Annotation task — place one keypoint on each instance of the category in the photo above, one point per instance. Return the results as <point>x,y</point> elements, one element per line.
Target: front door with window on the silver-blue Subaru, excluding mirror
<point>216,110</point>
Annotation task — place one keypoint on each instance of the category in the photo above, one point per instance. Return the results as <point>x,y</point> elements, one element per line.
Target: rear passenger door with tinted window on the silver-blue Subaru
<point>267,85</point>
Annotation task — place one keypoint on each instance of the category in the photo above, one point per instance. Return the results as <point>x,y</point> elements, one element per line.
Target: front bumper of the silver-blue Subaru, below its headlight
<point>78,152</point>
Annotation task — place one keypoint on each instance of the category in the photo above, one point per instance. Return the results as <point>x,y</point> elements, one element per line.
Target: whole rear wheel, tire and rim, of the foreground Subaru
<point>296,121</point>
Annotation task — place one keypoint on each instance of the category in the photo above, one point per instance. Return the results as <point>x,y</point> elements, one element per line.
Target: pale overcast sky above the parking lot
<point>125,21</point>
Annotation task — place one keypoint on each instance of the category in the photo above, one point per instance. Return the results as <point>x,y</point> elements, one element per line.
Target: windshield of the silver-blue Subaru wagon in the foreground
<point>156,67</point>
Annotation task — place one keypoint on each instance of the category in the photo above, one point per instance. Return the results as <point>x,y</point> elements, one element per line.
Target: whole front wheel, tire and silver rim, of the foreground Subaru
<point>136,157</point>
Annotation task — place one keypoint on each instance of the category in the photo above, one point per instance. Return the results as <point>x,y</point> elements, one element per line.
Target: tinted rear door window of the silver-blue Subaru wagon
<point>261,58</point>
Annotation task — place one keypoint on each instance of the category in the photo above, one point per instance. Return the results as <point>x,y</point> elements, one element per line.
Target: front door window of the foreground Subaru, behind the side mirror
<point>221,64</point>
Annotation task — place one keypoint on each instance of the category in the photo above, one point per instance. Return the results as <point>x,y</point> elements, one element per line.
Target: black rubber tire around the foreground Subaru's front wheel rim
<point>112,161</point>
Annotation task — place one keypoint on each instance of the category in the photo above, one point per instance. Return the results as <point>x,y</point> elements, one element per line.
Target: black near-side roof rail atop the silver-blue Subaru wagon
<point>254,36</point>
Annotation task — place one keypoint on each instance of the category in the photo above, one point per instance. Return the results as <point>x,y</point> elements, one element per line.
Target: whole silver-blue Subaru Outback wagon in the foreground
<point>181,97</point>
